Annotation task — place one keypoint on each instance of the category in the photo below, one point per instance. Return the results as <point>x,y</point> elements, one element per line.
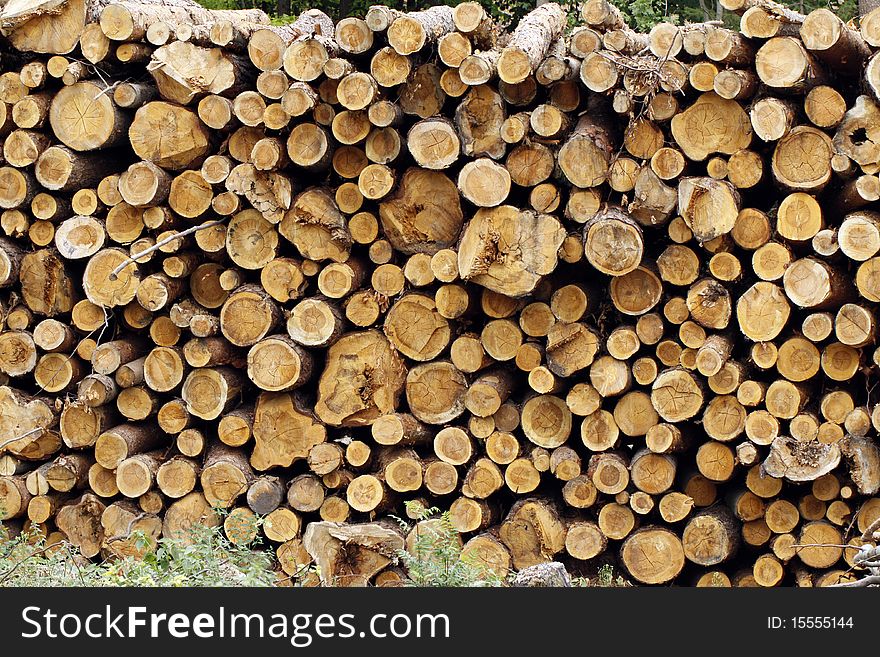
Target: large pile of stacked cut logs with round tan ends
<point>605,296</point>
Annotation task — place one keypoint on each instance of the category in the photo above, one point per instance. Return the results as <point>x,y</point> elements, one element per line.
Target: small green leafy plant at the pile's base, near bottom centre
<point>436,559</point>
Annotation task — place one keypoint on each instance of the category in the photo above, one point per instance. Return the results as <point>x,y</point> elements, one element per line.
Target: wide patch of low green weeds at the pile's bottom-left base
<point>203,558</point>
